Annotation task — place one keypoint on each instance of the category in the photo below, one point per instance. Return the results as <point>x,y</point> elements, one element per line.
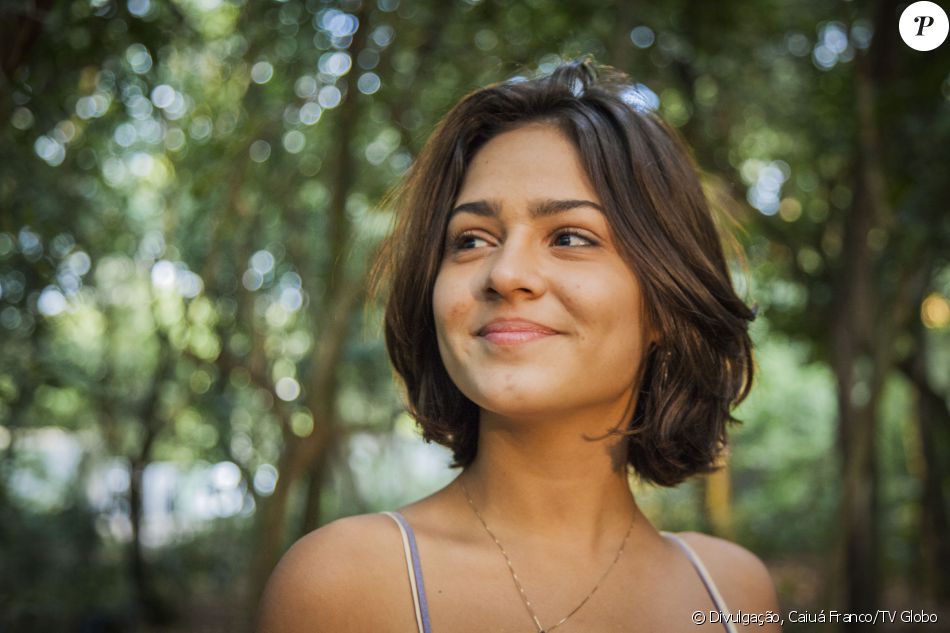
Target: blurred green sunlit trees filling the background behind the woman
<point>192,374</point>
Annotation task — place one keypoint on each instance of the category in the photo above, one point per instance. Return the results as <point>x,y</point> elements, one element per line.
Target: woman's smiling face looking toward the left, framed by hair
<point>536,311</point>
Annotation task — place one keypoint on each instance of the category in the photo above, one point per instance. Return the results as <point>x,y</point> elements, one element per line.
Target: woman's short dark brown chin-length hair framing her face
<point>661,222</point>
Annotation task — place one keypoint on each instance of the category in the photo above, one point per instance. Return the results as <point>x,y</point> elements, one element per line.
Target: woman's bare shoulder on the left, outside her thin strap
<point>320,582</point>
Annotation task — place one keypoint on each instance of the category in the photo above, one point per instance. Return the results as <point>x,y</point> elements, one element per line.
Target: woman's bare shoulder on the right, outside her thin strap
<point>742,578</point>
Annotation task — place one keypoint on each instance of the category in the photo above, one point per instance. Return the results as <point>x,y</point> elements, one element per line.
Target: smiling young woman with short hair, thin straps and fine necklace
<point>561,314</point>
